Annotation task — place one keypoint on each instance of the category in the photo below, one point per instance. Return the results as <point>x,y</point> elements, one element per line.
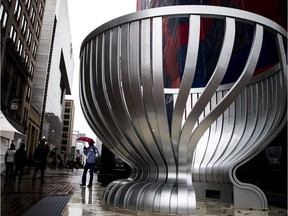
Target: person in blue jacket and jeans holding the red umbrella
<point>90,153</point>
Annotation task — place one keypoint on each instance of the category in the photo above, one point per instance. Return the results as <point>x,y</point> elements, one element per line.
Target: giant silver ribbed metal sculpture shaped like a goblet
<point>206,134</point>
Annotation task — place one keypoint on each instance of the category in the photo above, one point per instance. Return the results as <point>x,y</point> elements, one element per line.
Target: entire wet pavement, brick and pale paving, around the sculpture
<point>28,199</point>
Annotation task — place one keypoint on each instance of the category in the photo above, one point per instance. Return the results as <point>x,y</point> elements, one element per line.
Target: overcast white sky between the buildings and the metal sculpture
<point>85,16</point>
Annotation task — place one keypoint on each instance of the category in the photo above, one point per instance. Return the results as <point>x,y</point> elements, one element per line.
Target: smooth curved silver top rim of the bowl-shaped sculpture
<point>185,10</point>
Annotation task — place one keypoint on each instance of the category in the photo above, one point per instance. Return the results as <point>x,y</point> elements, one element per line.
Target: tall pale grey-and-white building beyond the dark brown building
<point>53,71</point>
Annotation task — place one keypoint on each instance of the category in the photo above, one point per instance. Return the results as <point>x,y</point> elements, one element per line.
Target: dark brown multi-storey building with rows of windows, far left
<point>21,23</point>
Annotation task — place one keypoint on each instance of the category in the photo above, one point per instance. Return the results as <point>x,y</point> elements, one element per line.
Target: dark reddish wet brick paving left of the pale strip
<point>18,199</point>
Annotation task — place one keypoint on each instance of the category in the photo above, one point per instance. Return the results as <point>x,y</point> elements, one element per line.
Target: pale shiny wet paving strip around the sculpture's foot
<point>88,201</point>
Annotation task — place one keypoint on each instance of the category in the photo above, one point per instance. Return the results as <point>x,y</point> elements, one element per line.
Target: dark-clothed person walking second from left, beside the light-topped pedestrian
<point>20,161</point>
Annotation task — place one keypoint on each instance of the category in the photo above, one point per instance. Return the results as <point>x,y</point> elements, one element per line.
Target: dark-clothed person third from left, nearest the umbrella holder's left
<point>40,160</point>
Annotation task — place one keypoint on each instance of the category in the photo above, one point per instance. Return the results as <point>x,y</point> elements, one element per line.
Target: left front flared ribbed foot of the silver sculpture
<point>157,197</point>
